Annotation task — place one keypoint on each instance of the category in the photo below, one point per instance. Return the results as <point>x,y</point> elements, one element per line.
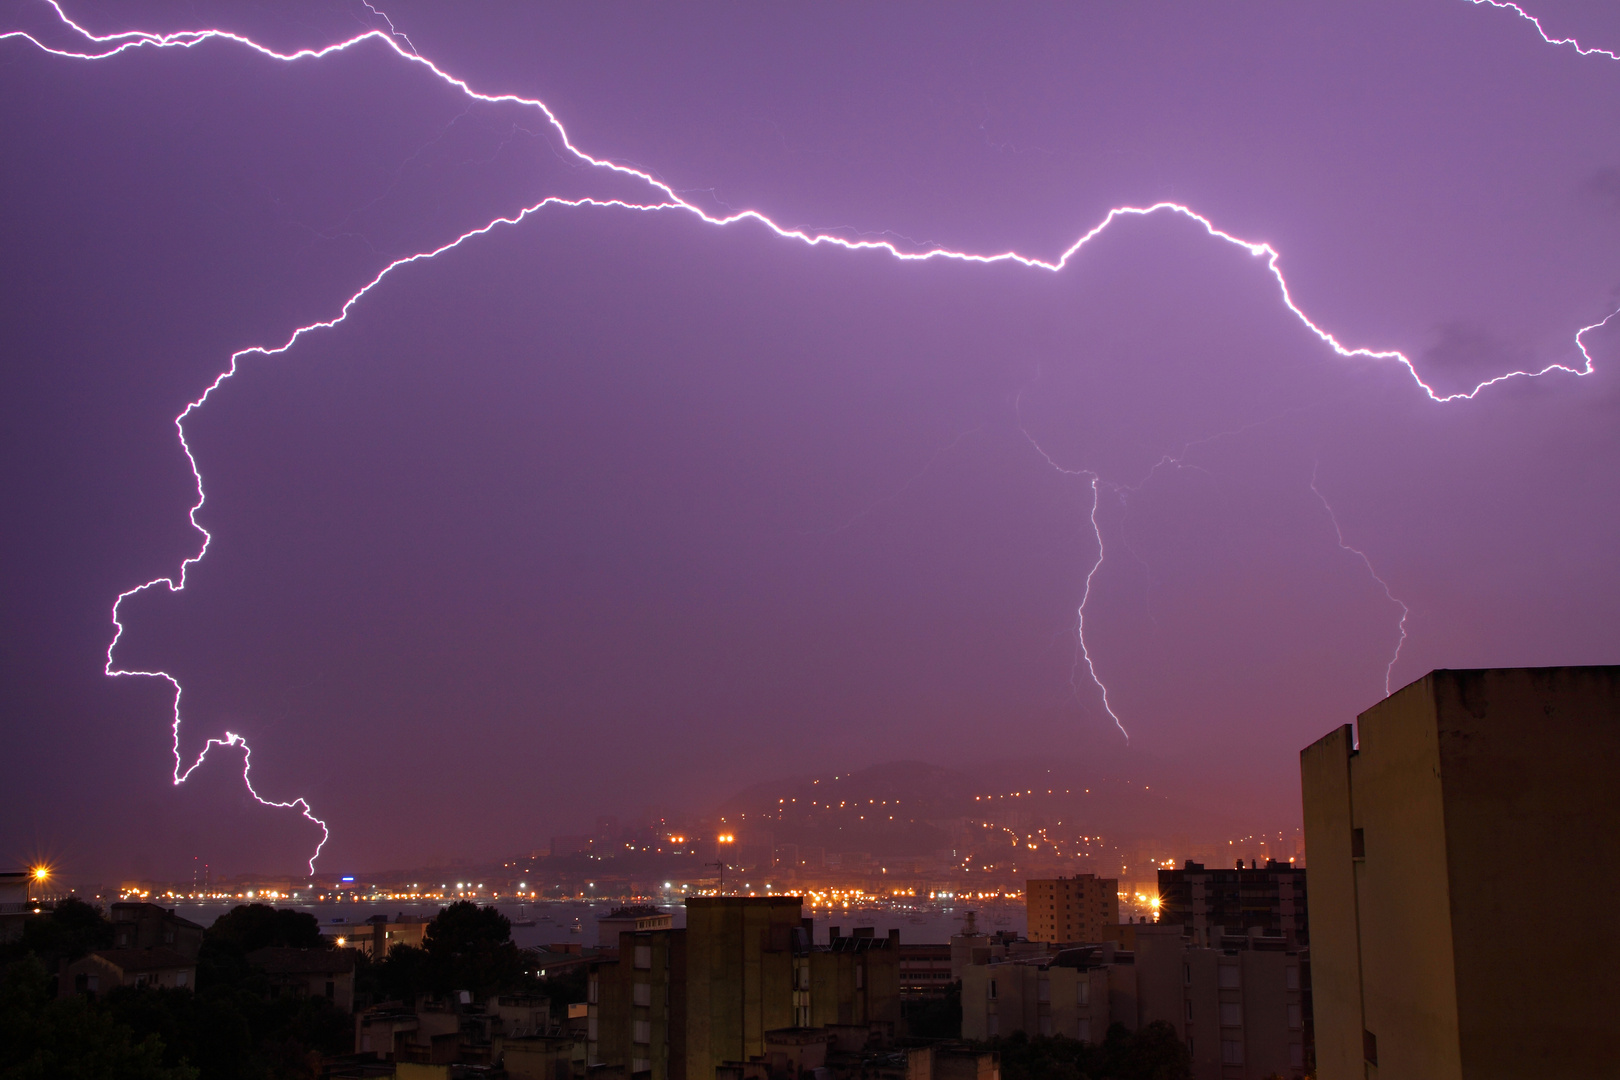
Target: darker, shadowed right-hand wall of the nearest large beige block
<point>1528,763</point>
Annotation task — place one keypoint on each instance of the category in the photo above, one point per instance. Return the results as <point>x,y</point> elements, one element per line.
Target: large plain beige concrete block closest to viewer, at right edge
<point>1441,844</point>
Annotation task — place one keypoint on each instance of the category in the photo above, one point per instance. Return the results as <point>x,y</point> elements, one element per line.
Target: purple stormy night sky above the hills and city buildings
<point>620,511</point>
